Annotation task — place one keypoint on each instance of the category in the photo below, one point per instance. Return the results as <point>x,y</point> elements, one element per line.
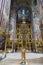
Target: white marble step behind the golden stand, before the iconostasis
<point>28,55</point>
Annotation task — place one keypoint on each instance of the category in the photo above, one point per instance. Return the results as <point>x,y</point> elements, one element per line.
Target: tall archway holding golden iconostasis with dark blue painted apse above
<point>24,27</point>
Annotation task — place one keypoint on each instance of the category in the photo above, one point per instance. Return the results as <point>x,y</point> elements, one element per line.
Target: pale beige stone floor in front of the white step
<point>38,61</point>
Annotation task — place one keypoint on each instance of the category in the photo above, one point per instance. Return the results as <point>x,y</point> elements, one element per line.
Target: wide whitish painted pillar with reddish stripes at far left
<point>5,11</point>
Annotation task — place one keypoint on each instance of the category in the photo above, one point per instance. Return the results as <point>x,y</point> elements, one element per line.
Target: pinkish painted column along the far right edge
<point>40,7</point>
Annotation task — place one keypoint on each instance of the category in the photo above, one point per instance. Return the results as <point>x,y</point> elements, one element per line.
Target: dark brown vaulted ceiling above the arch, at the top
<point>22,2</point>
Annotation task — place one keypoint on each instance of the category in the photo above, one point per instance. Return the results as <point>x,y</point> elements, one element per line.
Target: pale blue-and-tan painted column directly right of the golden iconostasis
<point>36,24</point>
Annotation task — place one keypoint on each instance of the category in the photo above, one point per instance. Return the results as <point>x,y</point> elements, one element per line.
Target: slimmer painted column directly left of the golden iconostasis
<point>13,28</point>
